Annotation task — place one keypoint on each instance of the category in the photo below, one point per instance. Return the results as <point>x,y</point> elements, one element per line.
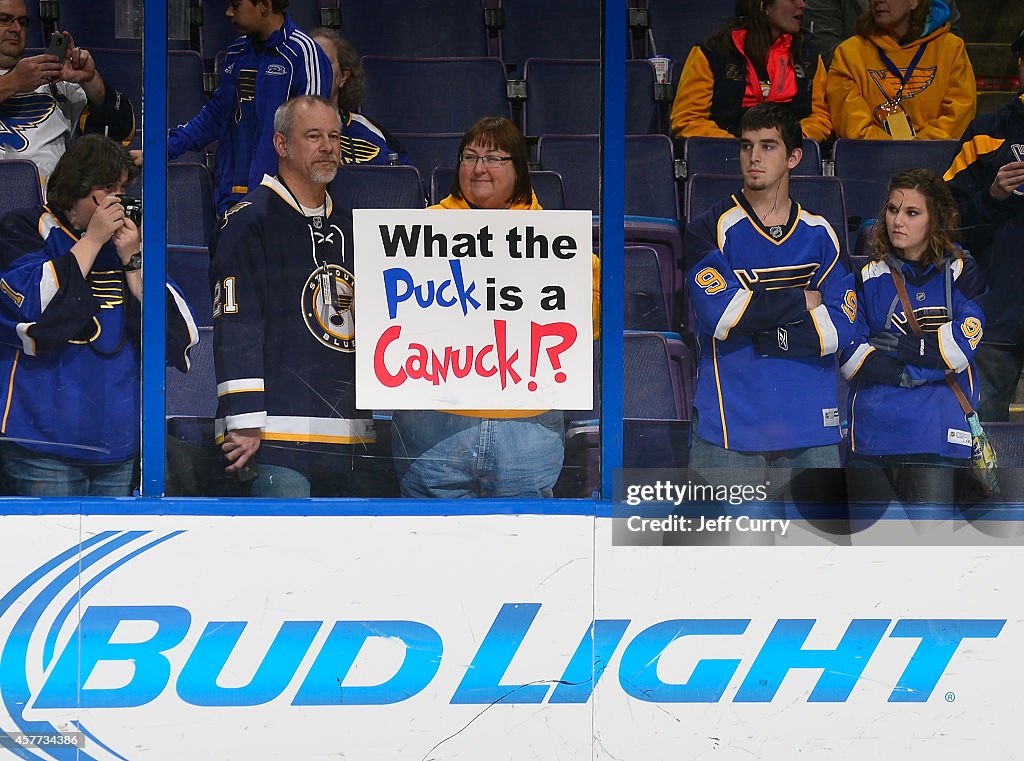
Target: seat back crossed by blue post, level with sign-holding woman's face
<point>651,185</point>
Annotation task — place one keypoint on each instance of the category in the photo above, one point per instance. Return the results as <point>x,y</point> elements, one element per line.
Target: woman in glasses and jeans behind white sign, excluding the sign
<point>483,453</point>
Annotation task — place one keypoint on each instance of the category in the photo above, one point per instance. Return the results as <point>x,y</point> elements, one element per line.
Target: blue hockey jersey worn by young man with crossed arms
<point>767,370</point>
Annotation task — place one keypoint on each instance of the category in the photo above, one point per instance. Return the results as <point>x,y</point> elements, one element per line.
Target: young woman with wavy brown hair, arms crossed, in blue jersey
<point>904,412</point>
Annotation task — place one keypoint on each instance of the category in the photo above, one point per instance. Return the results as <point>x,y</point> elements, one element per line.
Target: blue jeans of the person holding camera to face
<point>36,475</point>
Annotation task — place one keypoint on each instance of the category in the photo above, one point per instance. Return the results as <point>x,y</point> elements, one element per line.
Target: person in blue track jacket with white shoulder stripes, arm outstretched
<point>271,63</point>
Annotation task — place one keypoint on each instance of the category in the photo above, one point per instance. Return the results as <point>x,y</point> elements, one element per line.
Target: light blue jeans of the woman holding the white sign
<point>448,456</point>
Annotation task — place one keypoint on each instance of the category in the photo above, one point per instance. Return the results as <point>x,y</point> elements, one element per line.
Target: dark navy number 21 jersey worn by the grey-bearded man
<point>284,326</point>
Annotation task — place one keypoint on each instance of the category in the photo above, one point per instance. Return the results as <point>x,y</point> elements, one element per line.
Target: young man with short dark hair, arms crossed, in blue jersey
<point>775,305</point>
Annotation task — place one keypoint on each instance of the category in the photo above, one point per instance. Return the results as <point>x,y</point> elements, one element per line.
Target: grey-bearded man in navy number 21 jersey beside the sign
<point>284,320</point>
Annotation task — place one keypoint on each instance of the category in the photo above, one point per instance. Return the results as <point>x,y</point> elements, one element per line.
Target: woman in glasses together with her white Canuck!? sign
<point>474,311</point>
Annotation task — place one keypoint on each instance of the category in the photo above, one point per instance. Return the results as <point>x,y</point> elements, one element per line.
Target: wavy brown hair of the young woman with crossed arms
<point>943,217</point>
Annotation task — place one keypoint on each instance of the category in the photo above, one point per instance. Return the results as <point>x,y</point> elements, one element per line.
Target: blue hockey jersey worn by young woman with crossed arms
<point>887,418</point>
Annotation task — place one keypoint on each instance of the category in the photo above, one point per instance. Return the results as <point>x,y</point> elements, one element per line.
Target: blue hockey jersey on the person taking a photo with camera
<point>70,347</point>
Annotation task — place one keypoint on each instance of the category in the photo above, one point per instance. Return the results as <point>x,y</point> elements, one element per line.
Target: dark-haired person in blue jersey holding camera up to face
<point>71,289</point>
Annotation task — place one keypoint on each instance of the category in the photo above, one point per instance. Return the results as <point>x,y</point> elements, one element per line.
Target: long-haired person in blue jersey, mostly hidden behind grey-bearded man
<point>363,141</point>
